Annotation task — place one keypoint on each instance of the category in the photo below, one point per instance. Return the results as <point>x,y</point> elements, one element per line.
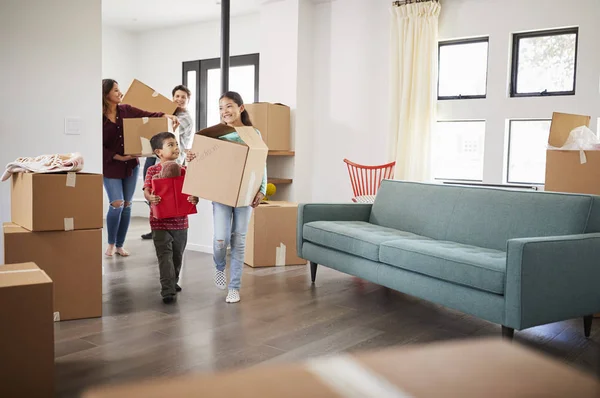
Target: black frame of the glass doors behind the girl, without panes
<point>202,66</point>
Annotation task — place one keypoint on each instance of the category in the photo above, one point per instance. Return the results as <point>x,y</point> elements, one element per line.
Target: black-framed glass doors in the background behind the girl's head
<point>205,77</point>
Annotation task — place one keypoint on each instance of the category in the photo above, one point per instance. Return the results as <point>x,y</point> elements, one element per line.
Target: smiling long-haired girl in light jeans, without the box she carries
<point>231,223</point>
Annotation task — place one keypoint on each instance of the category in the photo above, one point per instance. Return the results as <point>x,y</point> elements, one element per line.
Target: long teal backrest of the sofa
<point>482,217</point>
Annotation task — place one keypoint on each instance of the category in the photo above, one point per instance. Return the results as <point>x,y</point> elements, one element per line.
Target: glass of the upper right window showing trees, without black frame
<point>546,63</point>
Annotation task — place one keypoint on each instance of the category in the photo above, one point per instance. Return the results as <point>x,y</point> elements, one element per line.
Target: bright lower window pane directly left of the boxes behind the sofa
<point>528,140</point>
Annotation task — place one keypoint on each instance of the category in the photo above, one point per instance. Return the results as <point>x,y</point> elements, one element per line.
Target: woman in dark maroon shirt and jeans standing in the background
<point>120,171</point>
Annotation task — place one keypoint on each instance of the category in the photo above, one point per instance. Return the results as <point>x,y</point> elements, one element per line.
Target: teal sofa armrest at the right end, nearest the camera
<point>551,279</point>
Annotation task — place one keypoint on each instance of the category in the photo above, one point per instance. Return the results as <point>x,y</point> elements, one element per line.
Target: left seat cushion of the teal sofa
<point>354,237</point>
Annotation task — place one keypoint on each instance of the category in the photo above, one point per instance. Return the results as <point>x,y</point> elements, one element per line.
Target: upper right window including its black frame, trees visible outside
<point>544,63</point>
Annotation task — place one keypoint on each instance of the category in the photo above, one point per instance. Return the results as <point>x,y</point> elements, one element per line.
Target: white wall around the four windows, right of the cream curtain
<point>498,20</point>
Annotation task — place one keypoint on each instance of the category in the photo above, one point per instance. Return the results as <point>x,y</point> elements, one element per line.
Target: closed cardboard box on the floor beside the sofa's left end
<point>271,238</point>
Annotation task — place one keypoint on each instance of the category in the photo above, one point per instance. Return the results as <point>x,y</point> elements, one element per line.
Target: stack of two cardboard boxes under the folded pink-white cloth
<point>57,224</point>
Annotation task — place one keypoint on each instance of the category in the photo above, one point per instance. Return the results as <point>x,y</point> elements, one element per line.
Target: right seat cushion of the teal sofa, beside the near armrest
<point>472,266</point>
